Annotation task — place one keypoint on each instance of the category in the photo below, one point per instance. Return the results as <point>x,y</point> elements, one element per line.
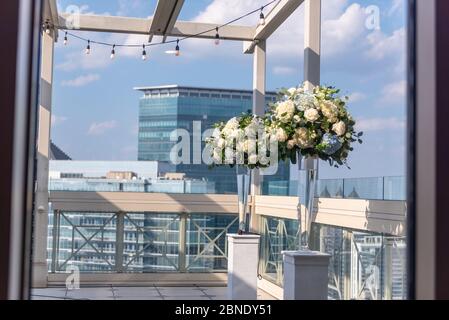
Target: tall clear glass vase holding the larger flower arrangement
<point>309,166</point>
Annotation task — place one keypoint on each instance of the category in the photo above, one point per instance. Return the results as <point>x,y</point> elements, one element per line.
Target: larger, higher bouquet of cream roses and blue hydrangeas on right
<point>315,123</point>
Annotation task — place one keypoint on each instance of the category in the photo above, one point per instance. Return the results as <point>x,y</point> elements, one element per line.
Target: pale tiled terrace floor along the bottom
<point>137,293</point>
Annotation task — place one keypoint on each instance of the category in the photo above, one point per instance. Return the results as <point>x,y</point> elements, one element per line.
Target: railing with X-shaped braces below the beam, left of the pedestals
<point>138,242</point>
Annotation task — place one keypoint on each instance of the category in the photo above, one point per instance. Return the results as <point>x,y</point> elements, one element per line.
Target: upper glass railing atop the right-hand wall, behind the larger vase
<point>379,188</point>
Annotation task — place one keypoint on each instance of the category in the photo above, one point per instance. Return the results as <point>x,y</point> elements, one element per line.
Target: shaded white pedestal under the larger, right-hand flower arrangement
<point>305,275</point>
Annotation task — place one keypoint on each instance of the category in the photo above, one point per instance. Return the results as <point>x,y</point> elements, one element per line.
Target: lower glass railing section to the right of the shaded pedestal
<point>364,265</point>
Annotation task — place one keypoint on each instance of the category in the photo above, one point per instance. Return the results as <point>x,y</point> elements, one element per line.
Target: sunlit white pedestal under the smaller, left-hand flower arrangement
<point>243,258</point>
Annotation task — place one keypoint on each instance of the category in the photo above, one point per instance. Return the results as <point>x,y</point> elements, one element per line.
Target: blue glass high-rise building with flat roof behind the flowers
<point>166,108</point>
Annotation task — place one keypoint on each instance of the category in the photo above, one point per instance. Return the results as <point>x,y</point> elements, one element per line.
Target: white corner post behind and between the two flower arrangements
<point>259,104</point>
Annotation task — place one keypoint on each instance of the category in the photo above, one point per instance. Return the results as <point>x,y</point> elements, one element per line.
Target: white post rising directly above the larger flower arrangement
<point>312,43</point>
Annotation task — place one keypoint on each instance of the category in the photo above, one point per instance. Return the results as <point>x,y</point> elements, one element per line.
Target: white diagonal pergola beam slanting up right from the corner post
<point>273,20</point>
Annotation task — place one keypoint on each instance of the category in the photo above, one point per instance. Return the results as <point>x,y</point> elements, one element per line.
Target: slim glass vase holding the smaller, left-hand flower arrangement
<point>243,186</point>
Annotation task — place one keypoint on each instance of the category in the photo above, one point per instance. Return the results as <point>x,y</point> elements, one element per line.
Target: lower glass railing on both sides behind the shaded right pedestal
<point>364,265</point>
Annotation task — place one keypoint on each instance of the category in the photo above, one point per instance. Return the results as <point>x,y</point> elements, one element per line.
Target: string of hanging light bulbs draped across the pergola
<point>176,52</point>
